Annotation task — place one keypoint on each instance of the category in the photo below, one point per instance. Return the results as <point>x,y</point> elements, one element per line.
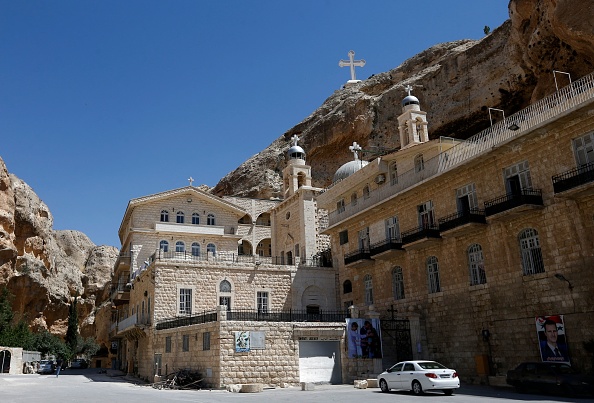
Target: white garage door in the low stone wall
<point>319,361</point>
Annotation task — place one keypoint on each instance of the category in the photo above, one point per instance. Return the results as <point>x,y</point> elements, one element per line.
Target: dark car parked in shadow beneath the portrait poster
<point>550,377</point>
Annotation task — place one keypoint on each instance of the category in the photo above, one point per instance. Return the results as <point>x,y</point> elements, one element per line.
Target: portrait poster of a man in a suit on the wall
<point>551,338</point>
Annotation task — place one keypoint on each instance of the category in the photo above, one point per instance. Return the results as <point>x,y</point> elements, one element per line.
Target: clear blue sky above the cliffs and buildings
<point>105,101</point>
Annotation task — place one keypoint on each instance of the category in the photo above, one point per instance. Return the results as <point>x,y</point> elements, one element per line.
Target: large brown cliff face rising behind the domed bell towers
<point>455,82</point>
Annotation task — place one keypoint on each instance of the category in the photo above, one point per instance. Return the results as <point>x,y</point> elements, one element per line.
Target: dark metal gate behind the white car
<point>396,342</point>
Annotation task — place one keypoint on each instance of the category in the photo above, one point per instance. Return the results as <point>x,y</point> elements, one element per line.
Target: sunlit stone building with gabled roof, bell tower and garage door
<point>238,289</point>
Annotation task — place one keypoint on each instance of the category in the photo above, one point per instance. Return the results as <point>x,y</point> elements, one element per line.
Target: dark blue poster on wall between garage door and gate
<point>364,338</point>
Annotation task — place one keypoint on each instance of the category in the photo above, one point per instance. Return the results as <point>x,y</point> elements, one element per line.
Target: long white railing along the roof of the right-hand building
<point>513,126</point>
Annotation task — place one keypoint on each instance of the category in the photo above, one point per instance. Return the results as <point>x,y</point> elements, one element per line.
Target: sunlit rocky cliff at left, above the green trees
<point>44,268</point>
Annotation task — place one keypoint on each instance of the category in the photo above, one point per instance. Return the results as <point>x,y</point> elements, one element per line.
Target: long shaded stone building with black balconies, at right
<point>468,243</point>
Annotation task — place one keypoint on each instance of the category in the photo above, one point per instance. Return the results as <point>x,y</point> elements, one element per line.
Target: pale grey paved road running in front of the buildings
<point>90,386</point>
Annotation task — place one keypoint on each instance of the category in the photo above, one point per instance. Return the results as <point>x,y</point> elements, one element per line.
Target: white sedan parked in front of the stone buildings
<point>419,376</point>
